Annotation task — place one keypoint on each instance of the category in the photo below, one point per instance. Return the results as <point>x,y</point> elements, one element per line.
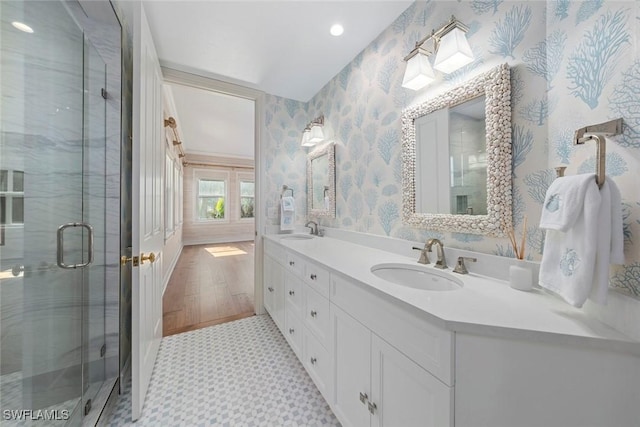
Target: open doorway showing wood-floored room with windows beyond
<point>229,243</point>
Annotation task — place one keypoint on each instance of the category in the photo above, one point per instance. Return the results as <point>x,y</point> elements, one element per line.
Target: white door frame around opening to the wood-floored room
<point>174,76</point>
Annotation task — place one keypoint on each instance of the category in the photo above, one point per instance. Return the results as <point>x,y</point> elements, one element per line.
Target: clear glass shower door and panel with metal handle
<point>52,185</point>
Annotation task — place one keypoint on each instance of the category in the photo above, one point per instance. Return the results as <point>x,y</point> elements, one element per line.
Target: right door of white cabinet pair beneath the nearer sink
<point>405,394</point>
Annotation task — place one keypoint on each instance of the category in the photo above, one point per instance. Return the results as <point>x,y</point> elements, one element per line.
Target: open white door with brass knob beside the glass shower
<point>148,240</point>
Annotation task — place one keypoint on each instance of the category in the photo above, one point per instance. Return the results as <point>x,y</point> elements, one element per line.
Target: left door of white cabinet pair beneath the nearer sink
<point>351,352</point>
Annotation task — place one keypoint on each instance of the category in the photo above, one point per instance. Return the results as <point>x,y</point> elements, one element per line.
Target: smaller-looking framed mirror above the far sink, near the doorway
<point>321,181</point>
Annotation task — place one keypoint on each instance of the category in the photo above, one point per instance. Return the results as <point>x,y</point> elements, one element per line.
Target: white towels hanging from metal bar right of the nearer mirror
<point>584,235</point>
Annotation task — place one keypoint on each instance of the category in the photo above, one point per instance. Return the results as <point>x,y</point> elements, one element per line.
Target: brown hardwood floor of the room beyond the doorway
<point>210,284</point>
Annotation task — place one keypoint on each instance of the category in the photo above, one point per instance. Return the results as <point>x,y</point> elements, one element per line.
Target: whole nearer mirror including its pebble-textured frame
<point>456,153</point>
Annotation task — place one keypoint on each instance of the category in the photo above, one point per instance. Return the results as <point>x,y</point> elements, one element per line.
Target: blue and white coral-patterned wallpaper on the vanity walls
<point>573,64</point>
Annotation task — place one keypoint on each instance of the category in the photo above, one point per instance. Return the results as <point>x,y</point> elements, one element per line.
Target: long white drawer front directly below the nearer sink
<point>426,344</point>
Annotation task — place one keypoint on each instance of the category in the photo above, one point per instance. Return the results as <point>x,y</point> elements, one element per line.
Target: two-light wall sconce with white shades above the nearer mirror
<point>452,51</point>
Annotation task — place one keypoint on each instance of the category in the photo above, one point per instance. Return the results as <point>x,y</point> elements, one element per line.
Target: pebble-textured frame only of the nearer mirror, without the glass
<point>495,85</point>
